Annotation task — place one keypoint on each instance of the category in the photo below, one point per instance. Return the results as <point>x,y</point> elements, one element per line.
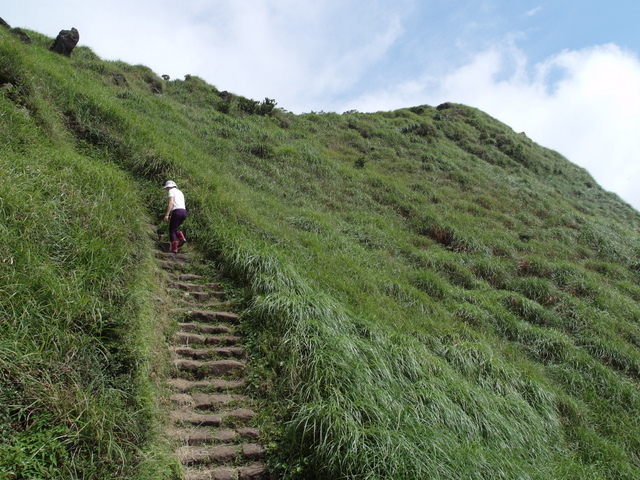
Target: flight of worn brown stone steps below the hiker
<point>211,421</point>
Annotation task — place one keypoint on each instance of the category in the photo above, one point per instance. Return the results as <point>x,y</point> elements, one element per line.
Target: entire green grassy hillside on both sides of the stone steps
<point>429,294</point>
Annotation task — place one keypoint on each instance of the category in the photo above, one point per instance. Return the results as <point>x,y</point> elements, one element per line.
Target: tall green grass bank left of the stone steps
<point>76,291</point>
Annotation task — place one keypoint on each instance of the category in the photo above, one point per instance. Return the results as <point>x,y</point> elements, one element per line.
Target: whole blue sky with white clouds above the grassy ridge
<point>566,72</point>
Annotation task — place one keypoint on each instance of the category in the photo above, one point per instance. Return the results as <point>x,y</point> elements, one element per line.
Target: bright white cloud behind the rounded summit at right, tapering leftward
<point>585,104</point>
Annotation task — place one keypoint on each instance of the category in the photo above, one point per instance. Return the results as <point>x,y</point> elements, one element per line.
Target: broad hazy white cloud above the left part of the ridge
<point>300,52</point>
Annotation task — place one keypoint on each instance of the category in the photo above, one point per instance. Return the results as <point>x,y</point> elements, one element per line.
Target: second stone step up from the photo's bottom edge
<point>220,454</point>
